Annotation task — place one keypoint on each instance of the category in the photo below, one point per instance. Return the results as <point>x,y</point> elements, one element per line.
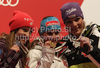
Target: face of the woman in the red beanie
<point>23,34</point>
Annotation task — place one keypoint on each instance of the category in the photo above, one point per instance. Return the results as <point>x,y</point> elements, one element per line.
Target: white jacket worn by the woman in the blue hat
<point>43,57</point>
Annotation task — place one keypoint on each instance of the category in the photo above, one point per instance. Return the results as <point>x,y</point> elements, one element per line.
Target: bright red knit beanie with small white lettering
<point>20,19</point>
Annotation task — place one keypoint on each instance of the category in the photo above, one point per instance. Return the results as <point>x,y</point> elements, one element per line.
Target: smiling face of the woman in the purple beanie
<point>76,24</point>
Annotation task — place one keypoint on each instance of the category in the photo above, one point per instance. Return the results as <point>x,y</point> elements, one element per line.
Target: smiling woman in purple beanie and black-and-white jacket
<point>80,49</point>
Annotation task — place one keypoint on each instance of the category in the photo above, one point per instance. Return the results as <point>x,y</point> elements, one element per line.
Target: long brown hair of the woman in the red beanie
<point>10,39</point>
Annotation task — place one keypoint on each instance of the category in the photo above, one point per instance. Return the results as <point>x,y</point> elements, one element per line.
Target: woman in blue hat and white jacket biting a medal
<point>43,53</point>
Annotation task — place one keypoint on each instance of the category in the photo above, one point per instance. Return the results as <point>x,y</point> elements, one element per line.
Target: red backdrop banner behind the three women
<point>37,9</point>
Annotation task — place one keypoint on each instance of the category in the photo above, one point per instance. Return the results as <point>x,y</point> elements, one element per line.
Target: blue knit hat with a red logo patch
<point>49,23</point>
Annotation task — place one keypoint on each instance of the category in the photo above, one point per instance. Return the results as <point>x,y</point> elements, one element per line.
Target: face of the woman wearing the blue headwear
<point>52,35</point>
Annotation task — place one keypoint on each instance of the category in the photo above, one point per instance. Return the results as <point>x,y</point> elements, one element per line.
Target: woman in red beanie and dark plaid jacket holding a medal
<point>14,46</point>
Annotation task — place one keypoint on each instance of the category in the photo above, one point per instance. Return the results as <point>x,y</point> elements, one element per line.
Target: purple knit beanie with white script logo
<point>71,10</point>
